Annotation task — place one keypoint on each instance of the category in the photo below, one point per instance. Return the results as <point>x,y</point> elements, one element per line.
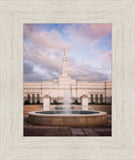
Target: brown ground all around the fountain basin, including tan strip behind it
<point>35,130</point>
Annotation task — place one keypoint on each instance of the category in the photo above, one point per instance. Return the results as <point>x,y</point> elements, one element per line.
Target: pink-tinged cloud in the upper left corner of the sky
<point>45,39</point>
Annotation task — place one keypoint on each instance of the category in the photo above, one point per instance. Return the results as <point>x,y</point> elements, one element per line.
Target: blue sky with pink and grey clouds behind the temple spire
<point>88,50</point>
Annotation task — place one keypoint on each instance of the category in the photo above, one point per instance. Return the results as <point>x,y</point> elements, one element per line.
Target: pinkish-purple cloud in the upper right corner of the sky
<point>88,33</point>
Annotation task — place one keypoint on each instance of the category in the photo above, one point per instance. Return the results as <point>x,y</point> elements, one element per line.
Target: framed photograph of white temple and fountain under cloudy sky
<point>67,79</point>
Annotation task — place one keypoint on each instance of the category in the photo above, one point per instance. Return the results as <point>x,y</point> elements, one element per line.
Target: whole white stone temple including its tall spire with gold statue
<point>97,92</point>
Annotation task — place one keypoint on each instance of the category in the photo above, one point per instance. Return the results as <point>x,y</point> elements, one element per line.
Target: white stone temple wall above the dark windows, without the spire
<point>54,90</point>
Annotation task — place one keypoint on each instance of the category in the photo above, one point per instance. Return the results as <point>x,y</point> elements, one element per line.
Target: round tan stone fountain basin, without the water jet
<point>75,119</point>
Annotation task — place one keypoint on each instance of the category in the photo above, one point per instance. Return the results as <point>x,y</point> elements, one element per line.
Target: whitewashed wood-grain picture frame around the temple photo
<point>13,146</point>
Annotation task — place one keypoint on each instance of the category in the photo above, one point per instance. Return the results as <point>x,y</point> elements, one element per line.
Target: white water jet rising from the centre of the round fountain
<point>67,102</point>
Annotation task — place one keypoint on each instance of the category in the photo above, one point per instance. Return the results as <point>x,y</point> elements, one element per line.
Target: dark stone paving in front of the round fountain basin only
<point>33,130</point>
